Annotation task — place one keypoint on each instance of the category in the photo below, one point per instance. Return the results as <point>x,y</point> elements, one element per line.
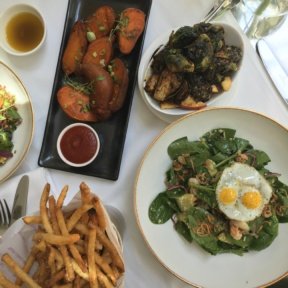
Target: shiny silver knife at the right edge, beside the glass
<point>274,68</point>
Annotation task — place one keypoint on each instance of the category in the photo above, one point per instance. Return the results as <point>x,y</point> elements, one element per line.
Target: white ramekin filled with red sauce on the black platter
<point>78,144</point>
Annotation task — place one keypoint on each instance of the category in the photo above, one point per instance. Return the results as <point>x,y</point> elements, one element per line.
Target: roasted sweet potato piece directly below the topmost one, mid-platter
<point>99,52</point>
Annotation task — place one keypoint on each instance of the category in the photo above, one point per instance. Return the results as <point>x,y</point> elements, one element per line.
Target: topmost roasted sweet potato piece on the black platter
<point>101,21</point>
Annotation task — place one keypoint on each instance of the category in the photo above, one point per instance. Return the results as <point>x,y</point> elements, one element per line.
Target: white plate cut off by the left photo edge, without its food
<point>23,135</point>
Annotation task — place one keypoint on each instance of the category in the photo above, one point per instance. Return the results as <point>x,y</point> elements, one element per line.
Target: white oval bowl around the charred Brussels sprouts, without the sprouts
<point>231,36</point>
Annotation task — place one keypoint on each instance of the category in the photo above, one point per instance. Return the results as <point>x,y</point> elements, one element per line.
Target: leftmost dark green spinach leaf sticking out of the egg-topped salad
<point>162,209</point>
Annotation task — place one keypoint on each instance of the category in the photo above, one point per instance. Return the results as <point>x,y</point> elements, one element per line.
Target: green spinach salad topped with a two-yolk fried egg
<point>193,205</point>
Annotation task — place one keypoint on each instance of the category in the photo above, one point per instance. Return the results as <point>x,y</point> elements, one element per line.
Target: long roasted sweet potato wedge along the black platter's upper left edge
<point>75,48</point>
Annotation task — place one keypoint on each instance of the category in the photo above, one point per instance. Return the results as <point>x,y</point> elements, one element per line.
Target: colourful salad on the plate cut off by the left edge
<point>9,121</point>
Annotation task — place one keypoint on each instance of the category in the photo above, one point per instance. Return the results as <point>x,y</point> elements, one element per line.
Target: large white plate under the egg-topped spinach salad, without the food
<point>188,261</point>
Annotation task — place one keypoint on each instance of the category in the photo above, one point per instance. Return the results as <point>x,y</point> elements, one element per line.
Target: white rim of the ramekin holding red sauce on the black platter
<point>61,154</point>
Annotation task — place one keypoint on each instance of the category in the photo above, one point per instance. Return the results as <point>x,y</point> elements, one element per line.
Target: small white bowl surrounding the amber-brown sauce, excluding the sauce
<point>7,15</point>
